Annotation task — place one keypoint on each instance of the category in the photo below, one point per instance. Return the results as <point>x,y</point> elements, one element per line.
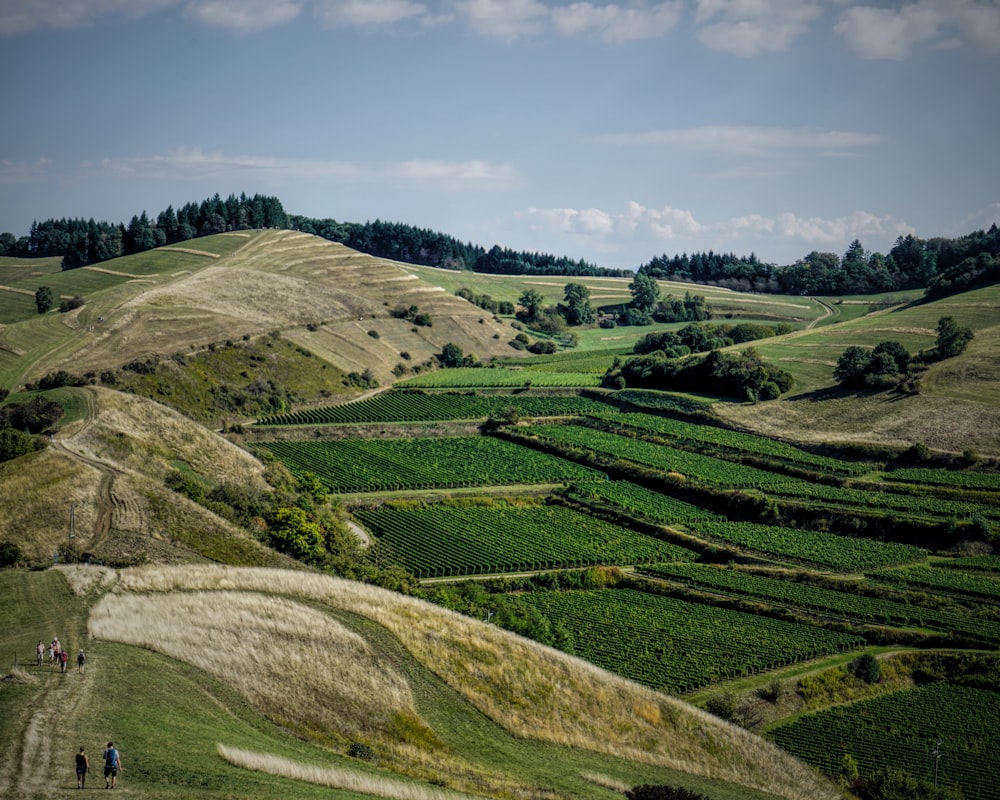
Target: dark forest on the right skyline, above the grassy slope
<point>942,265</point>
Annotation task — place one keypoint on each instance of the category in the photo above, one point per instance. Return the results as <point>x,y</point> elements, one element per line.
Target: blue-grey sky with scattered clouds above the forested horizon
<point>609,132</point>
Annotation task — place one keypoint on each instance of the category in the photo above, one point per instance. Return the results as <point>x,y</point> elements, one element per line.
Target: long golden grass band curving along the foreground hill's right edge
<point>531,690</point>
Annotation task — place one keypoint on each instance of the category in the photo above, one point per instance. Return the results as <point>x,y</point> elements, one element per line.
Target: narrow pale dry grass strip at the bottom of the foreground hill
<point>348,780</point>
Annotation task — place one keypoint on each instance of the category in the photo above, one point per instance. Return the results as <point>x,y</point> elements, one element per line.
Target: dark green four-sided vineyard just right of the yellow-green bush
<point>446,540</point>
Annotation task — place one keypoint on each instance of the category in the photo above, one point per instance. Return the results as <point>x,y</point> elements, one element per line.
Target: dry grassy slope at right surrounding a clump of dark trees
<point>958,406</point>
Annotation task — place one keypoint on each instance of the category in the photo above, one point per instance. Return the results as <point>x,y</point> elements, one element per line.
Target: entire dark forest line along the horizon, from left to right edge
<point>940,265</point>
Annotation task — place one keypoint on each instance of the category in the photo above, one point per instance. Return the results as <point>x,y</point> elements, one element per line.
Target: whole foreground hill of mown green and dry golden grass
<point>222,726</point>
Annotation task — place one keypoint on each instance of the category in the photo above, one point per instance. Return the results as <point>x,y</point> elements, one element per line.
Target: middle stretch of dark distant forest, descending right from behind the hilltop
<point>413,245</point>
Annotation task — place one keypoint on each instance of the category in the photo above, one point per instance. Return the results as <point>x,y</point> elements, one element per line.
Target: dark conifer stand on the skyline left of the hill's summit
<point>81,242</point>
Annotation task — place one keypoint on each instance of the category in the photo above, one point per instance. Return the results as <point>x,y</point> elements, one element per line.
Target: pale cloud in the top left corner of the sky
<point>22,16</point>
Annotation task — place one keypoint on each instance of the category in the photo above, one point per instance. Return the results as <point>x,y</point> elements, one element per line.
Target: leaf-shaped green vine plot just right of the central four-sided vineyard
<point>843,553</point>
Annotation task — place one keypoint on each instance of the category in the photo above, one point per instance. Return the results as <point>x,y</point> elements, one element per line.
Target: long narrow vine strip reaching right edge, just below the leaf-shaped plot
<point>845,604</point>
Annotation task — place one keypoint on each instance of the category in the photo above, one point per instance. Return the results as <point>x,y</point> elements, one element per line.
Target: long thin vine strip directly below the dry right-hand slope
<point>737,444</point>
